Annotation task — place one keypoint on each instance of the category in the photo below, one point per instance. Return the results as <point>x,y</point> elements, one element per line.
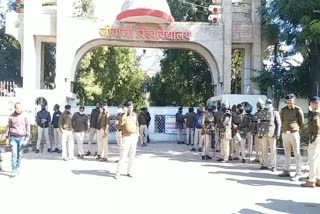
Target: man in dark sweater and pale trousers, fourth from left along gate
<point>80,127</point>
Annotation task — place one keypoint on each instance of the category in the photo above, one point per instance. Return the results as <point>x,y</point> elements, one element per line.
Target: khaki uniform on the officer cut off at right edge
<point>314,146</point>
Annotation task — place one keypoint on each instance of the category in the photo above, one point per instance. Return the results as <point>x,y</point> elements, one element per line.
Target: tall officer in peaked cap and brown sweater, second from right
<point>292,120</point>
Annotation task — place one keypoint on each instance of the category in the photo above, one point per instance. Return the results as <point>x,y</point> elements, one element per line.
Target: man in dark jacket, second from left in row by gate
<point>56,132</point>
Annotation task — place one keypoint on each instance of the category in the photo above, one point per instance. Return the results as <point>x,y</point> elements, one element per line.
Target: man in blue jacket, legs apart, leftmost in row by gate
<point>43,119</point>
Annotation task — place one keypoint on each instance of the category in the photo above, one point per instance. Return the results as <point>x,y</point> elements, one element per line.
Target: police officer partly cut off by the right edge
<point>314,146</point>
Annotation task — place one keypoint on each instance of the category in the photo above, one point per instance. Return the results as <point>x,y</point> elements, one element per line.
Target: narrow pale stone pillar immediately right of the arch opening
<point>227,49</point>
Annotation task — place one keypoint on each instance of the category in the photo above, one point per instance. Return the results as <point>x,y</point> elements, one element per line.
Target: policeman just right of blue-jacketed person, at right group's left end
<point>207,129</point>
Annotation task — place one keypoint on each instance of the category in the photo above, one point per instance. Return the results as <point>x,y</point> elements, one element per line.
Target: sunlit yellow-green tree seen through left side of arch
<point>112,74</point>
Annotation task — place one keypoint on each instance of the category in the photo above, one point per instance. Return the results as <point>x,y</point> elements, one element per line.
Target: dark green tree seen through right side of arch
<point>185,78</point>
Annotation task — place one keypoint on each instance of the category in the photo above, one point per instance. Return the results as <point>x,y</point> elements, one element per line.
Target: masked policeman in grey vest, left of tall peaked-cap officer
<point>269,130</point>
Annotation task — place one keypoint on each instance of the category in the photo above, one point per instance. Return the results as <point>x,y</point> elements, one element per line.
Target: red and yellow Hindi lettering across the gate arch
<point>138,32</point>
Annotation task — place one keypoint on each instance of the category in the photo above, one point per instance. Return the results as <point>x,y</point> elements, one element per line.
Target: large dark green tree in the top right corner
<point>297,24</point>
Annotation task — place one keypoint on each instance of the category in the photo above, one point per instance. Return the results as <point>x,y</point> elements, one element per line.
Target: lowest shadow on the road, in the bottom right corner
<point>286,206</point>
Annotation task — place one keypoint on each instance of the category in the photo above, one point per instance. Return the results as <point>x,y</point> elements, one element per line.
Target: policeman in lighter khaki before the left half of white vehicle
<point>225,133</point>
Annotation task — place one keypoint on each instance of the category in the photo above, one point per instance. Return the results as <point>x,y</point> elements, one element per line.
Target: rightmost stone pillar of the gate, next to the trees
<point>256,58</point>
